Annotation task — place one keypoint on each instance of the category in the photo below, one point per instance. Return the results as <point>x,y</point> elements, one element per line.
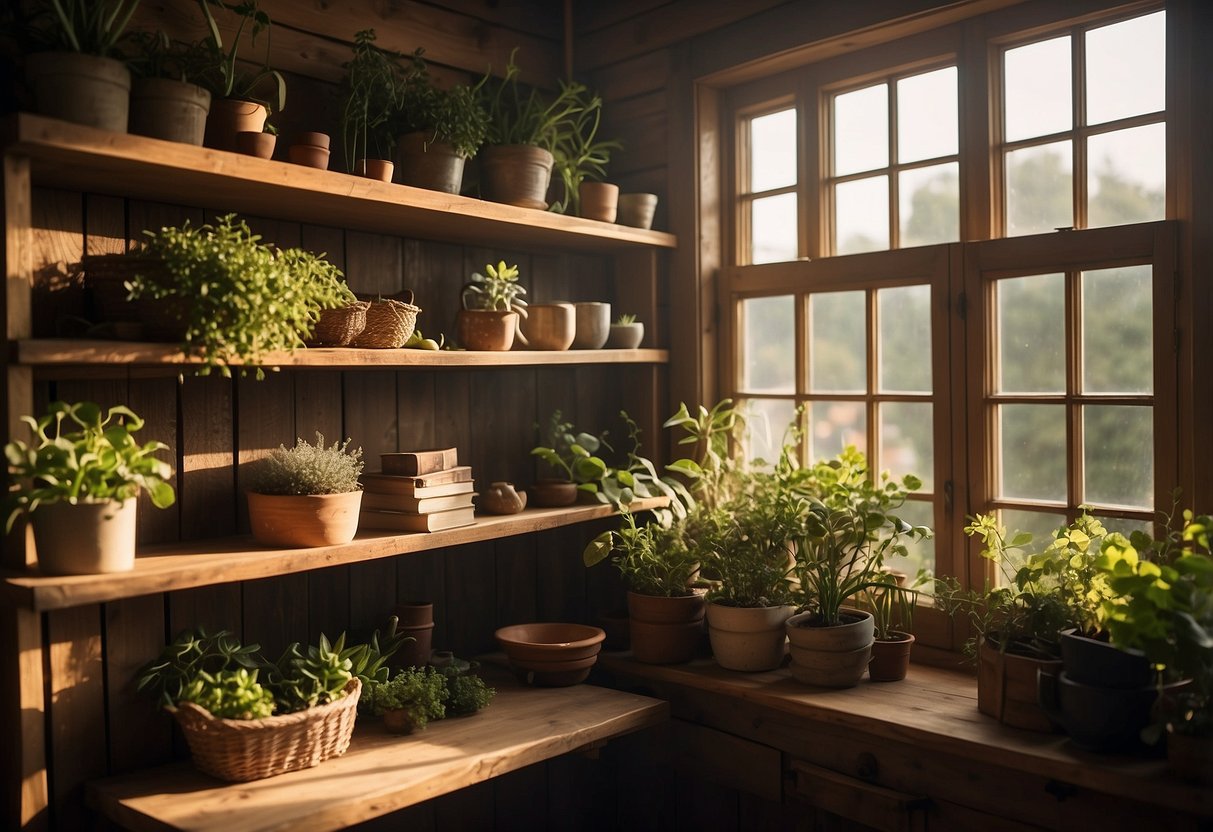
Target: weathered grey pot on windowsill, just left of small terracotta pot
<point>832,657</point>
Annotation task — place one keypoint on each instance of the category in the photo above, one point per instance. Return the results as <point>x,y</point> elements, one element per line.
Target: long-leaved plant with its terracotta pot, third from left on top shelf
<point>240,104</point>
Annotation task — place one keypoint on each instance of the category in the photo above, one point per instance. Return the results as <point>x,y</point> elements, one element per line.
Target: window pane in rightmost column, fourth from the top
<point>1119,455</point>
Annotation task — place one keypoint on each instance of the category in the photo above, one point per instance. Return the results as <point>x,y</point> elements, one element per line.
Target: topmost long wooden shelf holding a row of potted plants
<point>83,158</point>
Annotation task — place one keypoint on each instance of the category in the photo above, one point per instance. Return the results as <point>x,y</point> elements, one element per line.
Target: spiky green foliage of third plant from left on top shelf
<point>224,77</point>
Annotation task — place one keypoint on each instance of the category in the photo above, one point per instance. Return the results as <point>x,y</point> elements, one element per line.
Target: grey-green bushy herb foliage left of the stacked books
<point>307,470</point>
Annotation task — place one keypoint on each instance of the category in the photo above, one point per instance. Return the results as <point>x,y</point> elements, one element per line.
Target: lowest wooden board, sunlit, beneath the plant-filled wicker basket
<point>383,773</point>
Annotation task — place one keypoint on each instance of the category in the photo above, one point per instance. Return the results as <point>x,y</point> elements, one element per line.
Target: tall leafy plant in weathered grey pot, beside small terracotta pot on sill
<point>840,549</point>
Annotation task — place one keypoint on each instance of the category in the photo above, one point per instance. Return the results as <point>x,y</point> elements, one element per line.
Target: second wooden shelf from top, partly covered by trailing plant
<point>65,352</point>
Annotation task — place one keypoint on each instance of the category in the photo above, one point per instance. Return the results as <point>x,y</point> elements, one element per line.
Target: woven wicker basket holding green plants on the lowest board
<point>241,750</point>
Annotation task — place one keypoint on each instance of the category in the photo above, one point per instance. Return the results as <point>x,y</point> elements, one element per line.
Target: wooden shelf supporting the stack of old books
<point>230,560</point>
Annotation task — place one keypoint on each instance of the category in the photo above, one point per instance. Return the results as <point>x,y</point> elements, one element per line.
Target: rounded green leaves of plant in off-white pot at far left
<point>81,455</point>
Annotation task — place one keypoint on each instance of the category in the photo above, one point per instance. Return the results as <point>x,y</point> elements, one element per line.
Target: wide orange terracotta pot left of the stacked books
<point>299,522</point>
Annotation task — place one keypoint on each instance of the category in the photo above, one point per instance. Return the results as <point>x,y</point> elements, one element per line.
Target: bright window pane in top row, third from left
<point>927,116</point>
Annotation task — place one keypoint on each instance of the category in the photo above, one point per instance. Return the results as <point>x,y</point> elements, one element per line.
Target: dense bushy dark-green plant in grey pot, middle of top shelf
<point>440,130</point>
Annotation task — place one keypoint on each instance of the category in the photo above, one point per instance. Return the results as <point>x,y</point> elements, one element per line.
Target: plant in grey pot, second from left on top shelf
<point>166,100</point>
